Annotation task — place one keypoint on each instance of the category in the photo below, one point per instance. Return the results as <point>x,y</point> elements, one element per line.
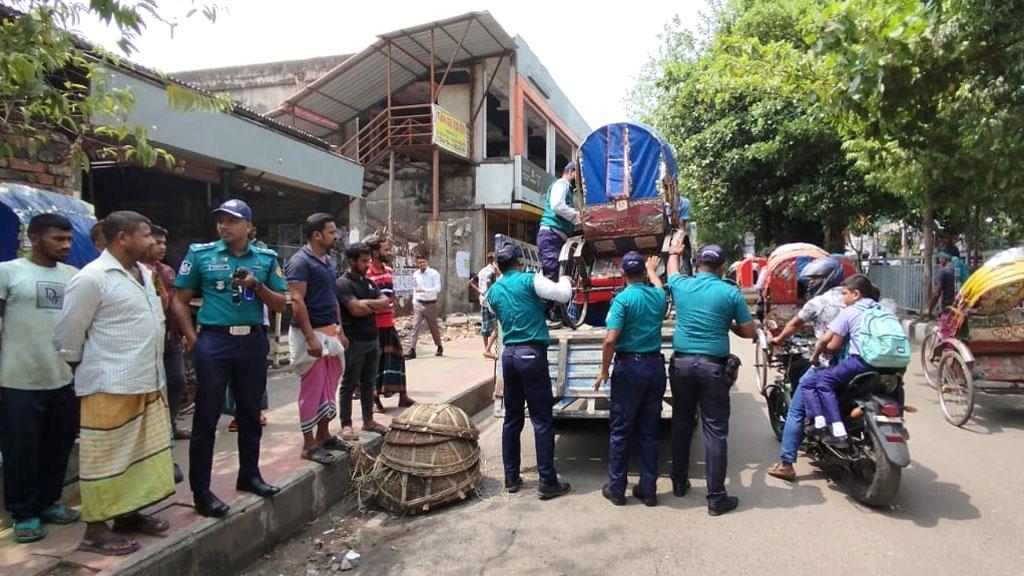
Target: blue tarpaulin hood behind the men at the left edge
<point>19,203</point>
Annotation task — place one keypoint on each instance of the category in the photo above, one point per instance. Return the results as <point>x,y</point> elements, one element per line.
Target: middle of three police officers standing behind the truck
<point>634,325</point>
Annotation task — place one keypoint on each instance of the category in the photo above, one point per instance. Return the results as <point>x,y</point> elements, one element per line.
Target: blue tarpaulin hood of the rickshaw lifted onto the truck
<point>624,160</point>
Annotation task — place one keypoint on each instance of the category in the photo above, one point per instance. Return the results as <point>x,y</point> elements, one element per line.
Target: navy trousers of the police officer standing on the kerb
<point>221,359</point>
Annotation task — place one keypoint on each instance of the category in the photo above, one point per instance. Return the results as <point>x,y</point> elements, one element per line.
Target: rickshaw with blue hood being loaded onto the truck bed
<point>629,200</point>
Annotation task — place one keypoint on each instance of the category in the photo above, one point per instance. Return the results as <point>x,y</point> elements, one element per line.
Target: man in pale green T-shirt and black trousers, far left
<point>38,407</point>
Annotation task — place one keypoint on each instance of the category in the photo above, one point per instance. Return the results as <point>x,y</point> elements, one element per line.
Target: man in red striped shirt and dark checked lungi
<point>392,366</point>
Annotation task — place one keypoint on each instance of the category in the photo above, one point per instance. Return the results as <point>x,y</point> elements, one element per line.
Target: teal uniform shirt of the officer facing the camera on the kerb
<point>208,269</point>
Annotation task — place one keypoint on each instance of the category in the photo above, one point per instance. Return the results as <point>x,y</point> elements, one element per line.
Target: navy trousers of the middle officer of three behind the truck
<point>637,389</point>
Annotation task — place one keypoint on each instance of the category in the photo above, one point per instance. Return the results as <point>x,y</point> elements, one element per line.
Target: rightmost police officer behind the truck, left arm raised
<point>703,372</point>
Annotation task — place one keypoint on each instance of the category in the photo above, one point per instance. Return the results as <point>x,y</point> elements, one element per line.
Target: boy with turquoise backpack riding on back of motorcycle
<point>876,340</point>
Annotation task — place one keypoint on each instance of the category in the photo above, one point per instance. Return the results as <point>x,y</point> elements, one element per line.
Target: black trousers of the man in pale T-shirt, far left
<point>37,434</point>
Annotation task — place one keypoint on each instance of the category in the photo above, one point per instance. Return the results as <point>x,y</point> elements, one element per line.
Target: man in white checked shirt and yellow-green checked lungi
<point>112,334</point>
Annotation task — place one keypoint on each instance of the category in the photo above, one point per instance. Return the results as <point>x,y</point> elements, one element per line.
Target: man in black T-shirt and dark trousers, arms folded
<point>360,301</point>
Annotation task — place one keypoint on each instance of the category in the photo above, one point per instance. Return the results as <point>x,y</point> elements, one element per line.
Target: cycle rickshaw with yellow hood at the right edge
<point>980,347</point>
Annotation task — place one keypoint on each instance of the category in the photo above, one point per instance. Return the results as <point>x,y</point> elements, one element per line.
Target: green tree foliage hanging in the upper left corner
<point>53,81</point>
